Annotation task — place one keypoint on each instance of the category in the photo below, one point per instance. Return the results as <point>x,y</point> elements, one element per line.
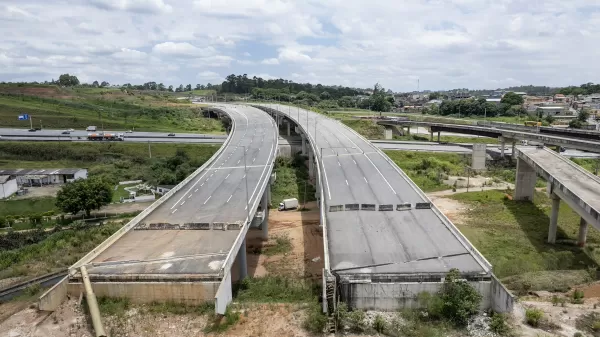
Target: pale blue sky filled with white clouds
<point>436,44</point>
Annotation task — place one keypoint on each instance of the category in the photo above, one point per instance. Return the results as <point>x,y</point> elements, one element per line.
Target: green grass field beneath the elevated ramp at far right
<point>512,236</point>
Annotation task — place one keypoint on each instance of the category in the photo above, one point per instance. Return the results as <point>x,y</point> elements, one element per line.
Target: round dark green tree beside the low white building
<point>84,195</point>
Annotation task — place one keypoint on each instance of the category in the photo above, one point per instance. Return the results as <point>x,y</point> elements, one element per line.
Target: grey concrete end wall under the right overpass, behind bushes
<point>395,296</point>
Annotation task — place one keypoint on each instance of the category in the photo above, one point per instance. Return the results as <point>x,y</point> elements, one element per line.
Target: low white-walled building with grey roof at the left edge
<point>40,177</point>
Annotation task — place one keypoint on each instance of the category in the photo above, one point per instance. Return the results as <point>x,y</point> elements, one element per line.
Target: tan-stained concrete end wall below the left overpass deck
<point>192,293</point>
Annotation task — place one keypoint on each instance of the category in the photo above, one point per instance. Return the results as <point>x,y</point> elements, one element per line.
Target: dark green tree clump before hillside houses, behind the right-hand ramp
<point>475,107</point>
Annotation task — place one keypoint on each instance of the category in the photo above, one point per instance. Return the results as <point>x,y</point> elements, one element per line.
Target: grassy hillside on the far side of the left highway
<point>60,108</point>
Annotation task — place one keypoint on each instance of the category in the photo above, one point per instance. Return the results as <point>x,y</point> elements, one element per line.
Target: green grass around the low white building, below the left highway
<point>113,161</point>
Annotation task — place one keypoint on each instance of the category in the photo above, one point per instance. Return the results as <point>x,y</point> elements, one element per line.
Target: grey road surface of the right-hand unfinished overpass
<point>369,242</point>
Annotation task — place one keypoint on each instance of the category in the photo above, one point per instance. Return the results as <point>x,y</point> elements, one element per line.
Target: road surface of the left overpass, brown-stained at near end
<point>217,195</point>
